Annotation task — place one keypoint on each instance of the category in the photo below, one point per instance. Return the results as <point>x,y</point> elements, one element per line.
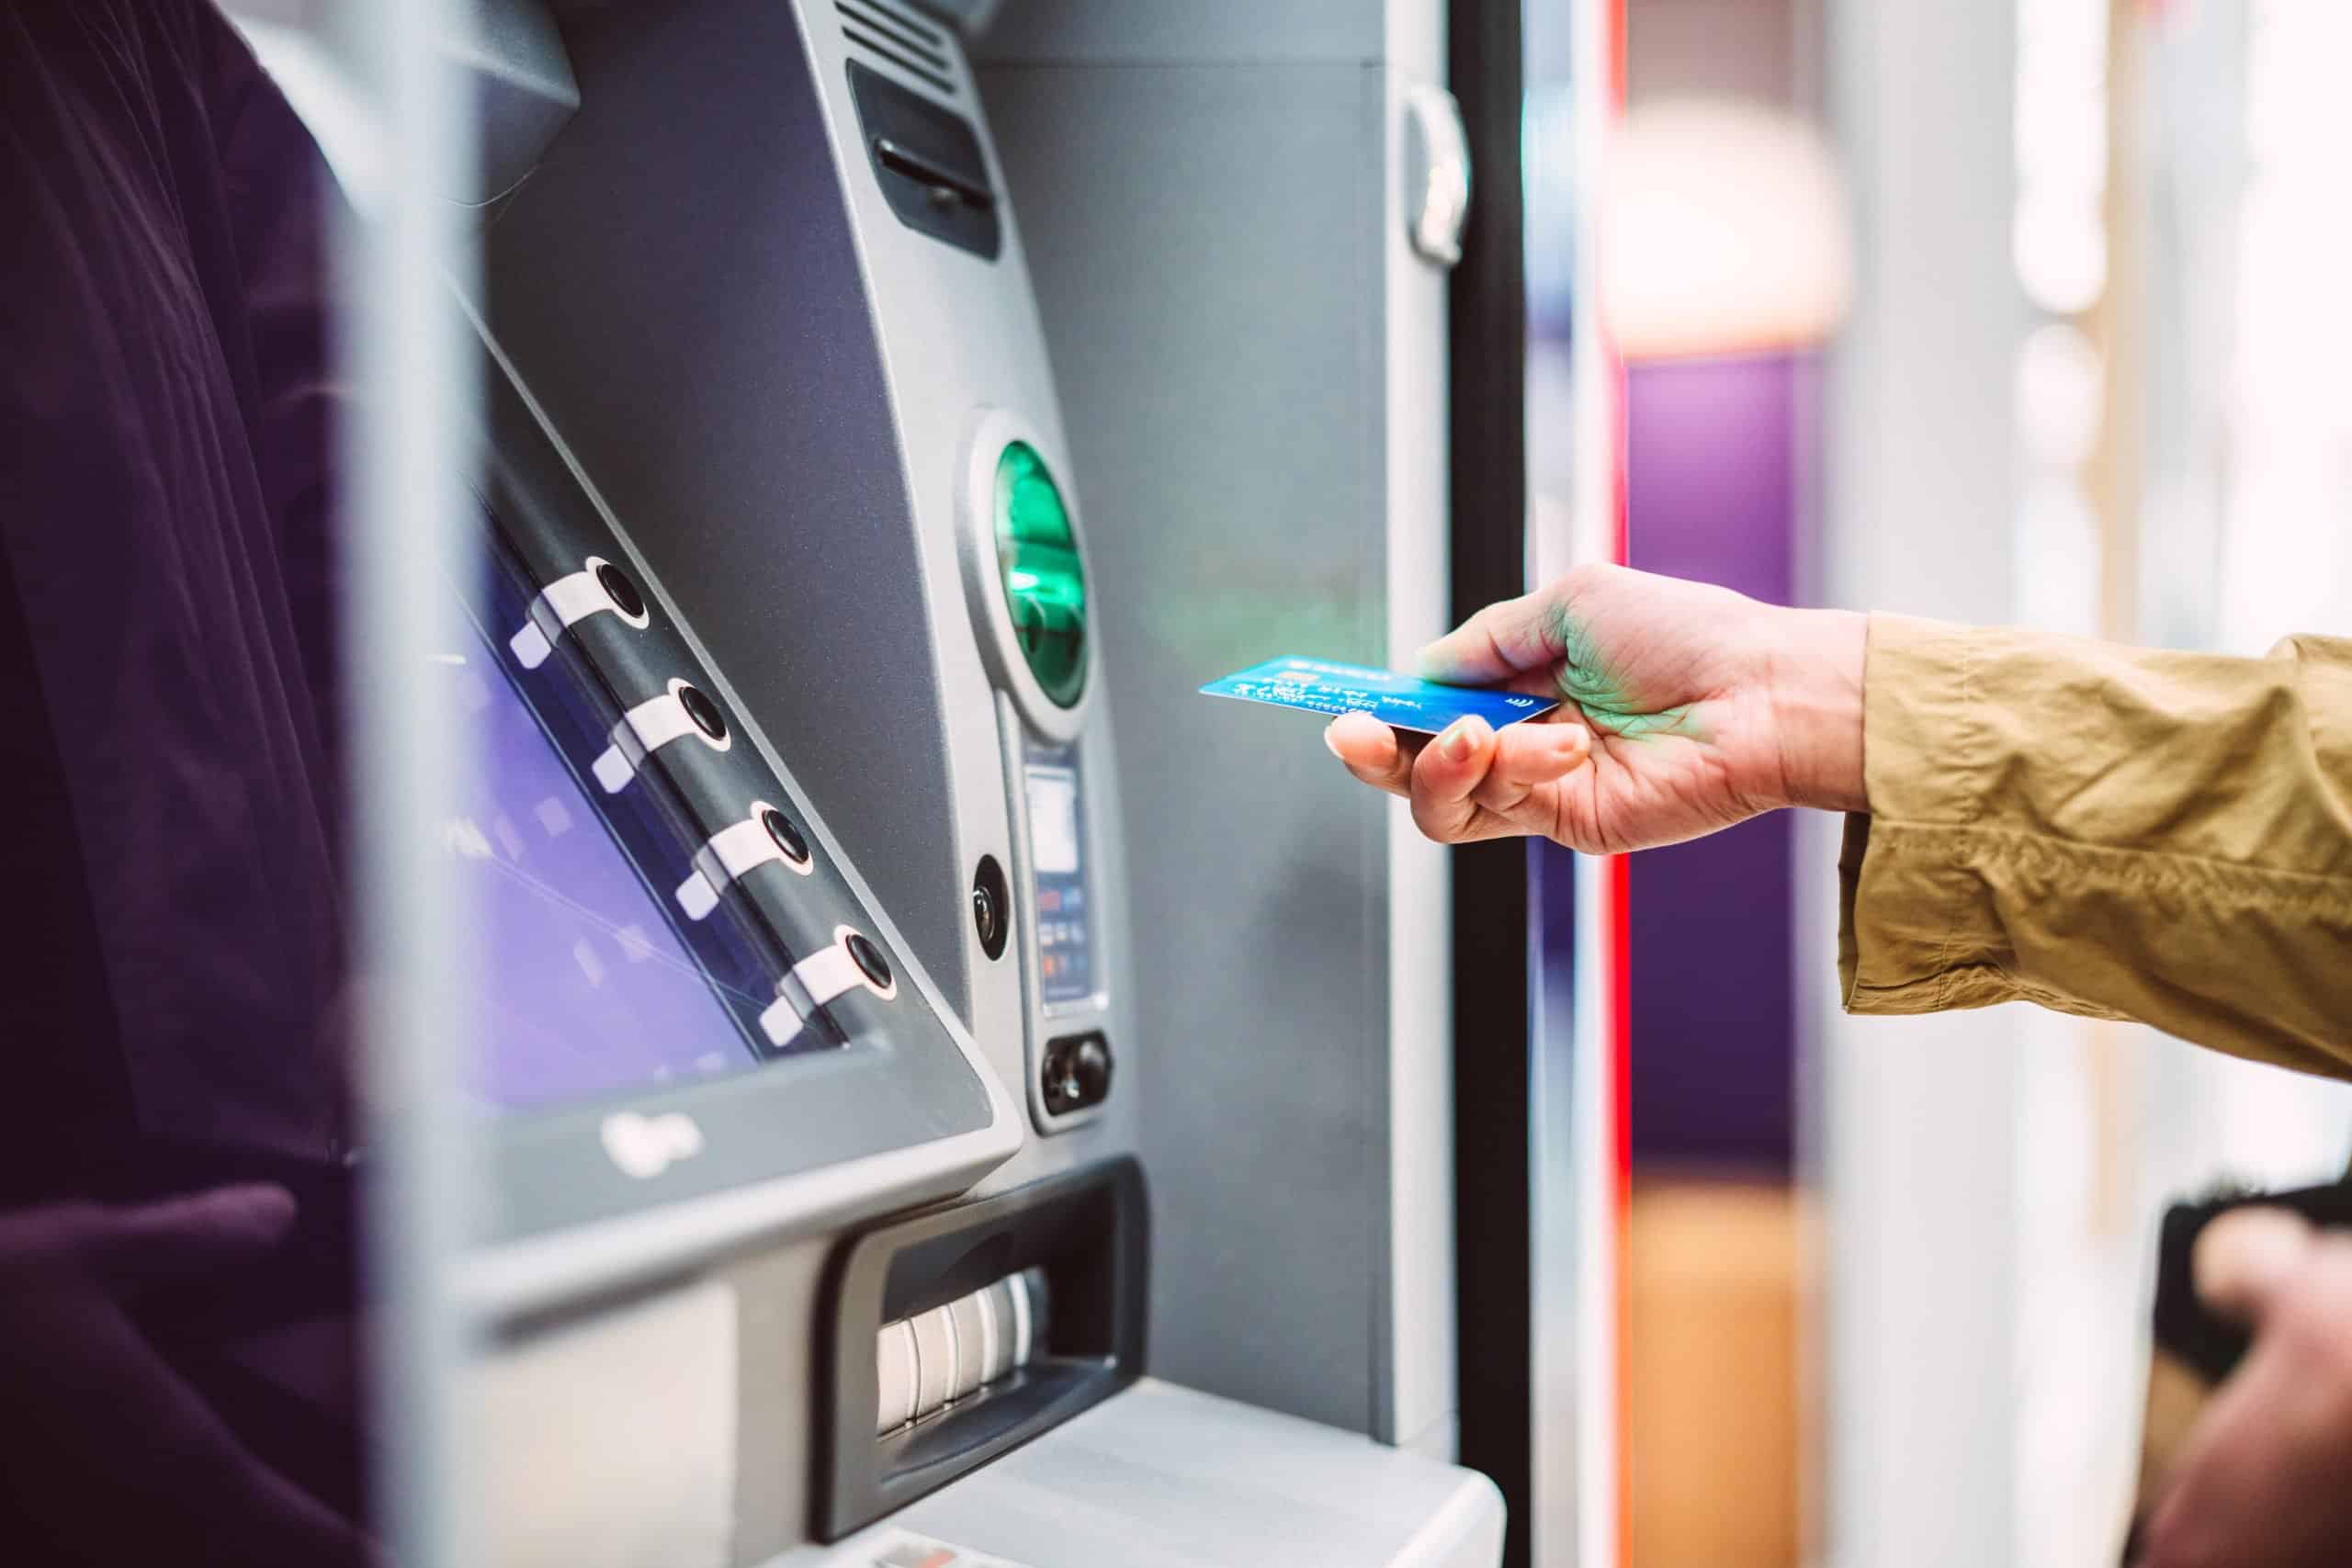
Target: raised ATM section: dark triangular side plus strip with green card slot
<point>813,406</point>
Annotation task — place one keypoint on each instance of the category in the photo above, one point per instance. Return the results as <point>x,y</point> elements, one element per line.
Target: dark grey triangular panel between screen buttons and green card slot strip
<point>681,293</point>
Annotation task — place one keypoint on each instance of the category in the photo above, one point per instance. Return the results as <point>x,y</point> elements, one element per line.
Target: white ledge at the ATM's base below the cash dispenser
<point>1165,1477</point>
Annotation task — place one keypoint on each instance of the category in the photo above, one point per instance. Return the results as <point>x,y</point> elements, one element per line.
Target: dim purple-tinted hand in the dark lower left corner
<point>107,1454</point>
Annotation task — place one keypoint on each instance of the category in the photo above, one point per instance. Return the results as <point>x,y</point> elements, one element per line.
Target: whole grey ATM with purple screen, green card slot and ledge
<point>850,1080</point>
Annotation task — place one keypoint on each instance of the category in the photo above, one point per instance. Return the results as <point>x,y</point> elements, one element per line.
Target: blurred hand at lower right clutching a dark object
<point>2261,1475</point>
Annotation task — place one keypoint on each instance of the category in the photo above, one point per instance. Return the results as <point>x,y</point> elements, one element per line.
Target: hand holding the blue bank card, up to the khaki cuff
<point>1688,709</point>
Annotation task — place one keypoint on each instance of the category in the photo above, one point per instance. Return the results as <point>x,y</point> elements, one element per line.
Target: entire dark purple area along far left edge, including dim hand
<point>175,958</point>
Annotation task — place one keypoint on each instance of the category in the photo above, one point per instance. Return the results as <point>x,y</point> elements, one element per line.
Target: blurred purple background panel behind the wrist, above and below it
<point>1713,492</point>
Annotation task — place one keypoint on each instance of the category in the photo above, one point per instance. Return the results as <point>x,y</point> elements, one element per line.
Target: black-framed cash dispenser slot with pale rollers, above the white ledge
<point>963,1334</point>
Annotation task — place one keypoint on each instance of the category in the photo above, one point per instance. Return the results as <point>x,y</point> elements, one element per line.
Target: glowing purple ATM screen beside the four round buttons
<point>589,986</point>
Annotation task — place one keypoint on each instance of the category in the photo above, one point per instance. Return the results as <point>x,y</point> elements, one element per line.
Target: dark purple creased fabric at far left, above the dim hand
<point>166,615</point>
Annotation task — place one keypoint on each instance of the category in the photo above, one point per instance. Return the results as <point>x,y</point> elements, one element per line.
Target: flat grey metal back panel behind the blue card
<point>1208,260</point>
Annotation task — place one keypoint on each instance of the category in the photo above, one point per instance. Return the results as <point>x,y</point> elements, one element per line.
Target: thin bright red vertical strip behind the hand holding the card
<point>1617,937</point>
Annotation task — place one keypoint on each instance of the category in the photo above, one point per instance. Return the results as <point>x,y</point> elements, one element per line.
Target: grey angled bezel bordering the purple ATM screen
<point>907,1101</point>
